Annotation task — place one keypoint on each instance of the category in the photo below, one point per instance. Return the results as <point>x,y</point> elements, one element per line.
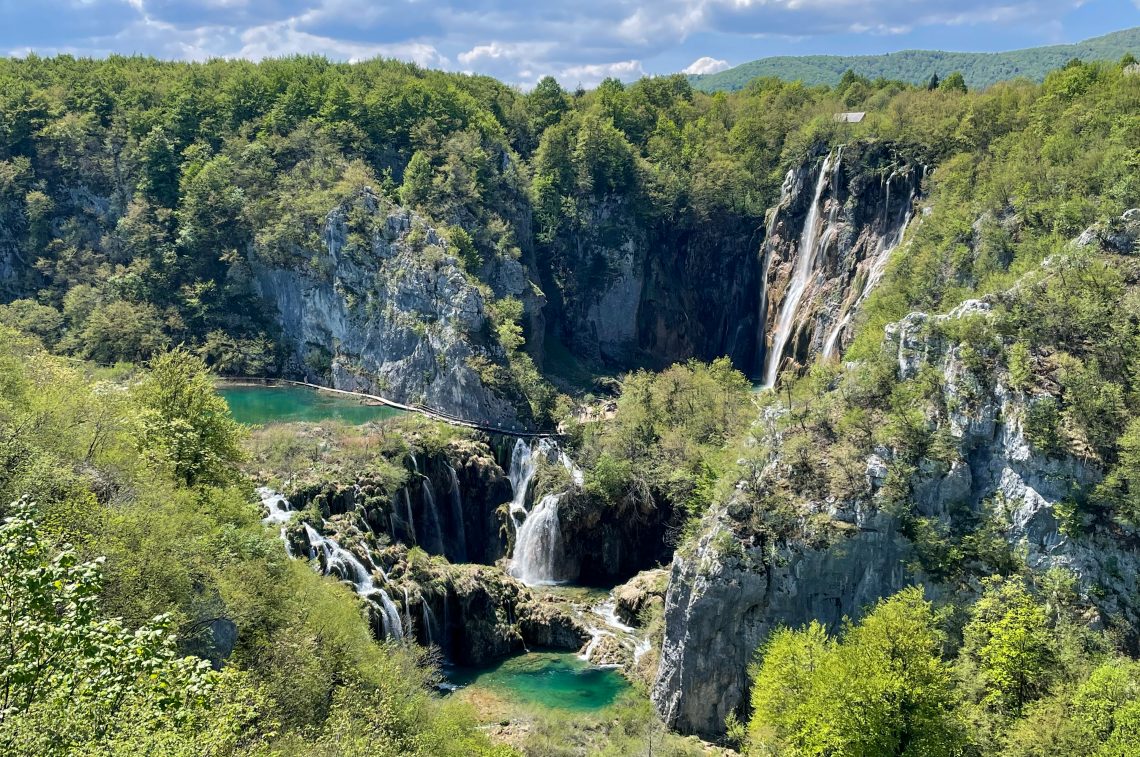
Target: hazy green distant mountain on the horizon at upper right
<point>980,69</point>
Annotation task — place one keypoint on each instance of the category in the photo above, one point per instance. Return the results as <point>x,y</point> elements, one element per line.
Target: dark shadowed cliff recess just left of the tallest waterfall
<point>628,294</point>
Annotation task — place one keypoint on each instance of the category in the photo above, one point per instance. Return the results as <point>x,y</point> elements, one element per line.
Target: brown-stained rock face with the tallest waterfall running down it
<point>827,246</point>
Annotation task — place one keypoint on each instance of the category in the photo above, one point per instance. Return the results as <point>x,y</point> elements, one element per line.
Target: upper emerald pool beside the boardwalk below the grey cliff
<point>264,405</point>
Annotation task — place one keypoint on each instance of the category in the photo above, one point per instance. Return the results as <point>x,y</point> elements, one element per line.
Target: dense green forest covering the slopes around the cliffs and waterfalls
<point>137,196</point>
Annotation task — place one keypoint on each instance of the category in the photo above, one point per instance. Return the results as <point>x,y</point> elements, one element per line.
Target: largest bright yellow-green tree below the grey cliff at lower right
<point>882,689</point>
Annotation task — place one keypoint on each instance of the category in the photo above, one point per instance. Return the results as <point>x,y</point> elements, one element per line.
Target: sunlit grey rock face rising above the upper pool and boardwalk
<point>384,308</point>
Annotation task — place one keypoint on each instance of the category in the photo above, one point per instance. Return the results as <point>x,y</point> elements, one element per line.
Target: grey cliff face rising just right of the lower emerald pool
<point>724,599</point>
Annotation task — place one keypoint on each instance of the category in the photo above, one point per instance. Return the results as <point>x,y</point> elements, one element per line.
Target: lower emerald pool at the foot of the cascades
<point>551,680</point>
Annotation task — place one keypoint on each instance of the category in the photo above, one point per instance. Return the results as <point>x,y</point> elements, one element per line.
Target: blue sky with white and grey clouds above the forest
<point>579,42</point>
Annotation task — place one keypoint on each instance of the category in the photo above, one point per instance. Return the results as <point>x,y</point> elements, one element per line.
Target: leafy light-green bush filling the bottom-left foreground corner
<point>78,683</point>
